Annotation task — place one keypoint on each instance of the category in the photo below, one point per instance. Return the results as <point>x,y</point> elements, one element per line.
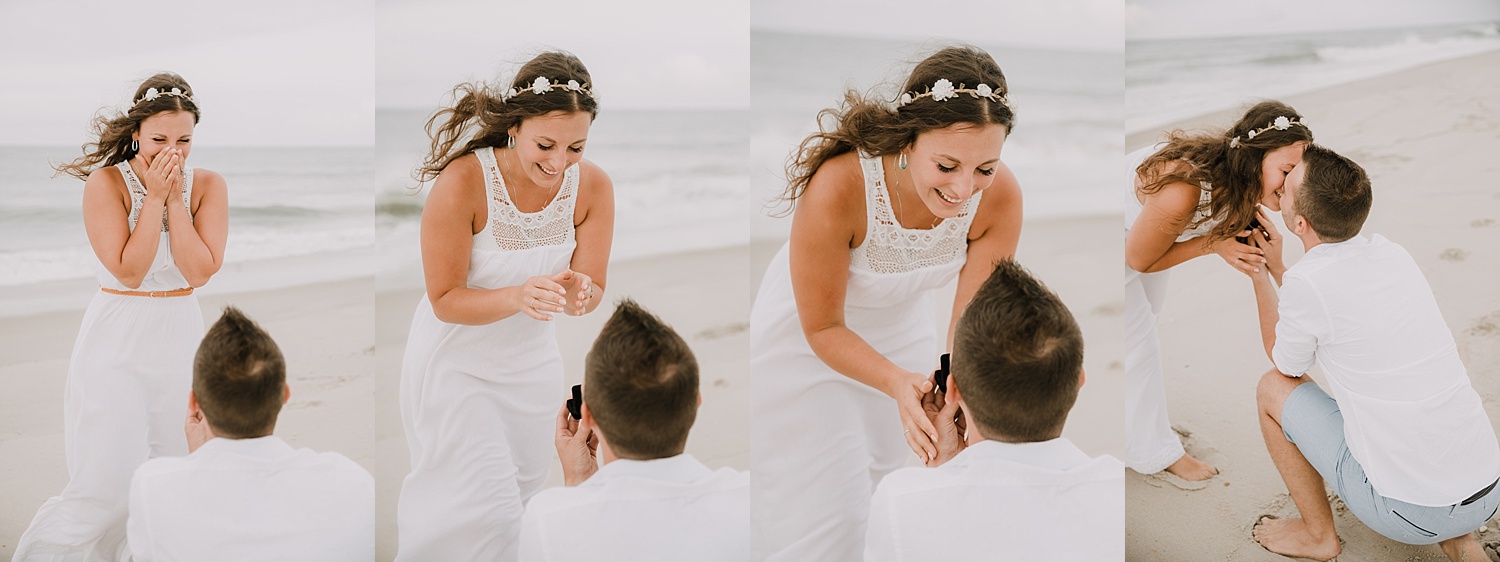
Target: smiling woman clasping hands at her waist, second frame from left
<point>517,232</point>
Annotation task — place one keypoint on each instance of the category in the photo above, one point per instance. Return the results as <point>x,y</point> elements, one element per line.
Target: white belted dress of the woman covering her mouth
<point>125,401</point>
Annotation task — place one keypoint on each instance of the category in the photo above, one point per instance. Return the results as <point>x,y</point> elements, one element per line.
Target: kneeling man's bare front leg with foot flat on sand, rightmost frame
<point>1312,536</point>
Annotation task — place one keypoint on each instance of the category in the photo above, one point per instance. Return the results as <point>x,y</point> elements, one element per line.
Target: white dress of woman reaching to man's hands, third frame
<point>823,441</point>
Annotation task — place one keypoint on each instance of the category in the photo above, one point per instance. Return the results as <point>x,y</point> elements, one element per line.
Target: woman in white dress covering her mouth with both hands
<point>131,369</point>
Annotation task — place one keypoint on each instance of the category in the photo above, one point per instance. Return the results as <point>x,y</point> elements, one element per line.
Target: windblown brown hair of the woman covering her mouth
<point>112,134</point>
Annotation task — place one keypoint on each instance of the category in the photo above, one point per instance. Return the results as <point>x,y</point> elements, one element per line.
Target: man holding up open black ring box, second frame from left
<point>649,501</point>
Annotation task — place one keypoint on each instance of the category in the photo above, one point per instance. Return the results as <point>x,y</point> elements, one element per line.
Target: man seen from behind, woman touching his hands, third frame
<point>1010,488</point>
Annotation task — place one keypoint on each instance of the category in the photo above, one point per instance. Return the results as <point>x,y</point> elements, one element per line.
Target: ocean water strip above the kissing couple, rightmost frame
<point>1174,80</point>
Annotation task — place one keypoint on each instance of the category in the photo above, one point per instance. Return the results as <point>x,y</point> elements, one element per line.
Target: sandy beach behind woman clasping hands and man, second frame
<point>704,296</point>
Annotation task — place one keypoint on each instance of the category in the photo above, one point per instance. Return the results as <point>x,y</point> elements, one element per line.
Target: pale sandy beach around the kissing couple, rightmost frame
<point>1429,139</point>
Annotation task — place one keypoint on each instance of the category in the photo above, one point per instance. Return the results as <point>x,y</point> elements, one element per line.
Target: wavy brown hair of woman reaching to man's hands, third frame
<point>877,127</point>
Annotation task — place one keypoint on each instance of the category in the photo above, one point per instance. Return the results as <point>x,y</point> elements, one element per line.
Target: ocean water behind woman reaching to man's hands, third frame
<point>1069,109</point>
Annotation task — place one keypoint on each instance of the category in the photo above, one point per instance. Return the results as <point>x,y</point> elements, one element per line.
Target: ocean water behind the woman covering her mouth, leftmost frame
<point>284,203</point>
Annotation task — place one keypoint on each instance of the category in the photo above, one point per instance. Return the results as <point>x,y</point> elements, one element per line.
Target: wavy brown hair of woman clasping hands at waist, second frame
<point>484,116</point>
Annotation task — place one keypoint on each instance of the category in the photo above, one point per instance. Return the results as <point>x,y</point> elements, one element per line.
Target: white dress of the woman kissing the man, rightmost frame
<point>1151,446</point>
